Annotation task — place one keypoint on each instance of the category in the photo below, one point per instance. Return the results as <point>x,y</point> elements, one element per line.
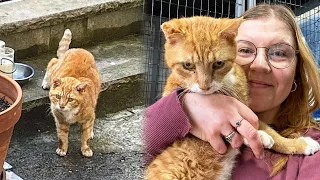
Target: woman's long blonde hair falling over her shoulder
<point>295,113</point>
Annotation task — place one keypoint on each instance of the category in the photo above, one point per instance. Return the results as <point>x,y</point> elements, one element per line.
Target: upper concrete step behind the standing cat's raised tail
<point>33,27</point>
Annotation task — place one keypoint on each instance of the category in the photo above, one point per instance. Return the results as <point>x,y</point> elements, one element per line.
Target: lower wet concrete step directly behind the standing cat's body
<point>120,64</point>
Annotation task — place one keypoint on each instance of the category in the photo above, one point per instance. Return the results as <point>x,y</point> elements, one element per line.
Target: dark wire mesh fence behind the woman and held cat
<point>158,11</point>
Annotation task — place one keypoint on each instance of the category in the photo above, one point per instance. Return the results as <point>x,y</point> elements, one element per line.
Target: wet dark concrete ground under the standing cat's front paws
<point>117,149</point>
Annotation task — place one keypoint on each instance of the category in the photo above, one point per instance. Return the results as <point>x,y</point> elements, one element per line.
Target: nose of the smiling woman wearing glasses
<point>260,63</point>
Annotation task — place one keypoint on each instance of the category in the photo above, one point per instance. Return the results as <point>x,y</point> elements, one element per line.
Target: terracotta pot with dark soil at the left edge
<point>10,92</point>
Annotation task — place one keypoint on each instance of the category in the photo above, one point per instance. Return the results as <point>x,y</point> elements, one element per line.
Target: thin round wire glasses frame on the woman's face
<point>268,58</point>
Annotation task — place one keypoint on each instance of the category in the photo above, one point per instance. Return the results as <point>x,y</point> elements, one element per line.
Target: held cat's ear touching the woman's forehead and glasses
<point>231,31</point>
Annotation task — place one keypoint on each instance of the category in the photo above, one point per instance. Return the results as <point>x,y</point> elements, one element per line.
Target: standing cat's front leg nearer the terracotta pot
<point>63,134</point>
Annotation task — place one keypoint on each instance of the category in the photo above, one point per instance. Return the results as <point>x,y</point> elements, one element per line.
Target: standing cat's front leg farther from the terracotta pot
<point>87,134</point>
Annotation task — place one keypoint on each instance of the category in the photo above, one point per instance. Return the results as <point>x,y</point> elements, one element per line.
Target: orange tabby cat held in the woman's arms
<point>200,51</point>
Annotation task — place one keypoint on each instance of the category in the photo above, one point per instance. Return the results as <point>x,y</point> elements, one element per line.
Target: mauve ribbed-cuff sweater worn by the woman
<point>165,121</point>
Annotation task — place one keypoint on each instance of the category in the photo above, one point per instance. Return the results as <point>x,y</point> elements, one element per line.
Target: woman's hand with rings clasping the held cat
<point>213,116</point>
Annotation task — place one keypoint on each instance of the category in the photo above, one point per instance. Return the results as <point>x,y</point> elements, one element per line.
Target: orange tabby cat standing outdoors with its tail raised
<point>75,86</point>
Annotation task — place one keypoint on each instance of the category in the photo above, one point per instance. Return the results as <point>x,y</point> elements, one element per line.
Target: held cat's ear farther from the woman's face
<point>172,32</point>
